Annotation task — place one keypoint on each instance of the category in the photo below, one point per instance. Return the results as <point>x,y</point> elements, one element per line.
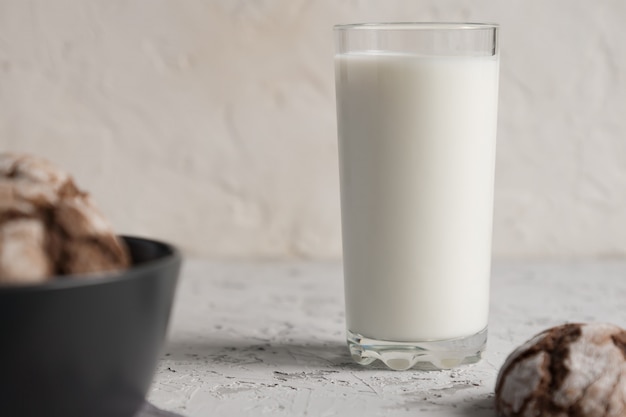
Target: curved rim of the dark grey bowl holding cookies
<point>103,278</point>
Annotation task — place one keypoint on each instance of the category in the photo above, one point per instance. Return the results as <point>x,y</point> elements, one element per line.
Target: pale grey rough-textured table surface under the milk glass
<point>254,339</point>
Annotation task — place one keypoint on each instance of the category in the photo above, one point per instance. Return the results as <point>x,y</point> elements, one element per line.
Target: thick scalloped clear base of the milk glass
<point>432,355</point>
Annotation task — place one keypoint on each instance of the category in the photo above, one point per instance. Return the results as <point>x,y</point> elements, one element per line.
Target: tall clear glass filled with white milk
<point>416,112</point>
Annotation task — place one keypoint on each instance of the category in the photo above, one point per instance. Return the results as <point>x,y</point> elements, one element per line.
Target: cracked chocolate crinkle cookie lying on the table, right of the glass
<point>567,371</point>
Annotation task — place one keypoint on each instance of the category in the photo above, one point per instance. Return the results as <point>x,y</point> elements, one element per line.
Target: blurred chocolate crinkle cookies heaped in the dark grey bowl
<point>48,227</point>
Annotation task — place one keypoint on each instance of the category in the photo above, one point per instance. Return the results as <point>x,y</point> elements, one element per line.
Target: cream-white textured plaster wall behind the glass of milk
<point>211,123</point>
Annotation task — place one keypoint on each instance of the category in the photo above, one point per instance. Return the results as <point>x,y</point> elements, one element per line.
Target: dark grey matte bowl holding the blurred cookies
<point>87,347</point>
